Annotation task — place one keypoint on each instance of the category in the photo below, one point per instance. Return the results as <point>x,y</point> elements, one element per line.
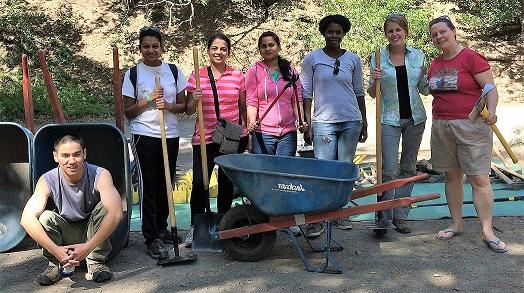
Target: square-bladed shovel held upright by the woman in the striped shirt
<point>206,225</point>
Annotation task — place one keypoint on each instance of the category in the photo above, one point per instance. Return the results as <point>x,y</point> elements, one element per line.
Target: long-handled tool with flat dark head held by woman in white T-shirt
<point>177,258</point>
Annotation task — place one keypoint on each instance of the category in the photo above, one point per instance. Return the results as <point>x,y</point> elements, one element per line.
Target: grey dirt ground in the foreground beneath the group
<point>396,263</point>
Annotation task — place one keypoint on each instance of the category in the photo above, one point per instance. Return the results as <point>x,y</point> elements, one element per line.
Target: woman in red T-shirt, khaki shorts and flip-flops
<point>459,146</point>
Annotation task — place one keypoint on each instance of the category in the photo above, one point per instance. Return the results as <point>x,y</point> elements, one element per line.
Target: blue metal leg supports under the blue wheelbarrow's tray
<point>327,268</point>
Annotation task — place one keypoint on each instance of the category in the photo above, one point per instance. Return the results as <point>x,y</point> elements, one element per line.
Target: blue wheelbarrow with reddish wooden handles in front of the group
<point>292,191</point>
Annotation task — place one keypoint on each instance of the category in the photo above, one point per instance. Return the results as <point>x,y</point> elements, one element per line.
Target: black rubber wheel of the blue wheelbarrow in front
<point>252,247</point>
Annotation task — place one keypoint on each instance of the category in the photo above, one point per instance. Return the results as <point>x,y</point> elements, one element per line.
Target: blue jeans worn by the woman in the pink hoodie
<point>285,145</point>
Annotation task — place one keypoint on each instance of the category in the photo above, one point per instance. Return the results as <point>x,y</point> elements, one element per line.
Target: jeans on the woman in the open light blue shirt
<point>411,138</point>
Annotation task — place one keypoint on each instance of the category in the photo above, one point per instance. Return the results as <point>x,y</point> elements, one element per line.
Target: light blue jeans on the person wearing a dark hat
<point>336,141</point>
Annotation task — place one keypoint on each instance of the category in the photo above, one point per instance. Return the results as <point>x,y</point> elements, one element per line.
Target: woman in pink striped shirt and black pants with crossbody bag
<point>231,92</point>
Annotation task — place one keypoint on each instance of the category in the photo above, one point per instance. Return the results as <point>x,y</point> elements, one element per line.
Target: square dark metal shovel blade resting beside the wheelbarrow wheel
<point>205,235</point>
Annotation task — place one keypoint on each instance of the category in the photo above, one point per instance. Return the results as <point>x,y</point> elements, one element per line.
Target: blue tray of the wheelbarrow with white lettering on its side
<point>280,186</point>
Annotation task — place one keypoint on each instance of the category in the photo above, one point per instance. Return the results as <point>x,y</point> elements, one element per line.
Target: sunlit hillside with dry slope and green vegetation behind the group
<point>77,37</point>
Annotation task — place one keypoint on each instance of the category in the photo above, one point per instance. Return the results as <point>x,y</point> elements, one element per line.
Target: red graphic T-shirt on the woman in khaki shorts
<point>453,86</point>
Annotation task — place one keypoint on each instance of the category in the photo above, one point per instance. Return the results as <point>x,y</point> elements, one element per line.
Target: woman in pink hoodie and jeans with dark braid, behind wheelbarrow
<point>276,134</point>
